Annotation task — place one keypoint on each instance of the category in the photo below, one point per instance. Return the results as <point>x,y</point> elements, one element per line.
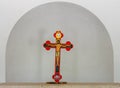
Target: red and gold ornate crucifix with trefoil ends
<point>57,45</point>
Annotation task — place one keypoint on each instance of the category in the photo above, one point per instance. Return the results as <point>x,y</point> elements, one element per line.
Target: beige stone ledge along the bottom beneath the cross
<point>70,85</point>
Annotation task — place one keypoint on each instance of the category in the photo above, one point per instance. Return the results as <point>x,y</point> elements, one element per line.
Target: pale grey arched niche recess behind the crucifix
<point>91,59</point>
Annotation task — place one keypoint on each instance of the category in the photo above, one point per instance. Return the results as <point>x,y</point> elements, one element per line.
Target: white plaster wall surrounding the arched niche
<point>106,10</point>
